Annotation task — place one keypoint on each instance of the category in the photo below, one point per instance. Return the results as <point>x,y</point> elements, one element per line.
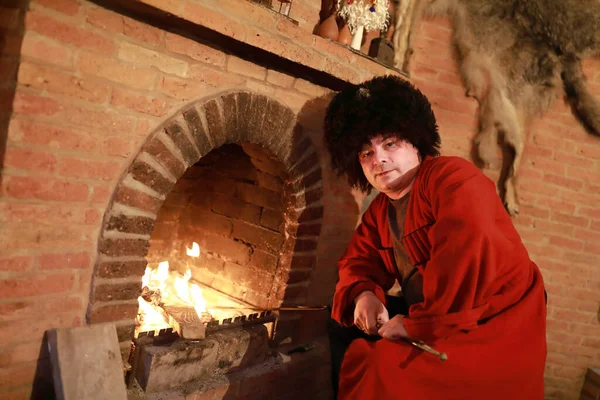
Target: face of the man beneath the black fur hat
<point>390,165</point>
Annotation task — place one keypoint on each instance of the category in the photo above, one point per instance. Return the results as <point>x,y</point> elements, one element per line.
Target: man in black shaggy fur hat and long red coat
<point>438,228</point>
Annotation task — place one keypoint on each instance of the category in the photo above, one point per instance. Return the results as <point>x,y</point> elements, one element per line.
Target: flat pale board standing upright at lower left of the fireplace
<point>86,363</point>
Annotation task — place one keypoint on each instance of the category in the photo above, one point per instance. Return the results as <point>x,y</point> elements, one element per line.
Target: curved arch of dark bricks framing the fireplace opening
<point>195,130</point>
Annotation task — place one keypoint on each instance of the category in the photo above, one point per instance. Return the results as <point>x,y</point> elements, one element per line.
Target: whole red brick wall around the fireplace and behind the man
<point>94,86</point>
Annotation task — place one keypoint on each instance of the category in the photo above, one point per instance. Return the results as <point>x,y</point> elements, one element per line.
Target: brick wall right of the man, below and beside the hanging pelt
<point>559,191</point>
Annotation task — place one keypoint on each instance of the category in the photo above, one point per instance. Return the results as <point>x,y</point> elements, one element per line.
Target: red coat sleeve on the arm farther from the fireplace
<point>468,240</point>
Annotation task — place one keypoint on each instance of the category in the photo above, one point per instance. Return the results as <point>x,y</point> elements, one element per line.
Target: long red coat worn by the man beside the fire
<point>483,302</point>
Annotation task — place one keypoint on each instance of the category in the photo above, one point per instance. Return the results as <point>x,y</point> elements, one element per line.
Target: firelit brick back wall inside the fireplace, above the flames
<point>232,204</point>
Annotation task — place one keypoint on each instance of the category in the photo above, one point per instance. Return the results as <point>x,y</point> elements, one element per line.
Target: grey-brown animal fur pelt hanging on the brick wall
<point>514,57</point>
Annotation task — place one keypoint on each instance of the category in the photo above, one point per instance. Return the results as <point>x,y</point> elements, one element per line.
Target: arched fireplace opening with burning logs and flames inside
<point>214,270</point>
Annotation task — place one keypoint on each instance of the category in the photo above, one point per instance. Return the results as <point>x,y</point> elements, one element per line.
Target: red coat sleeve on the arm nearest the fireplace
<point>361,267</point>
